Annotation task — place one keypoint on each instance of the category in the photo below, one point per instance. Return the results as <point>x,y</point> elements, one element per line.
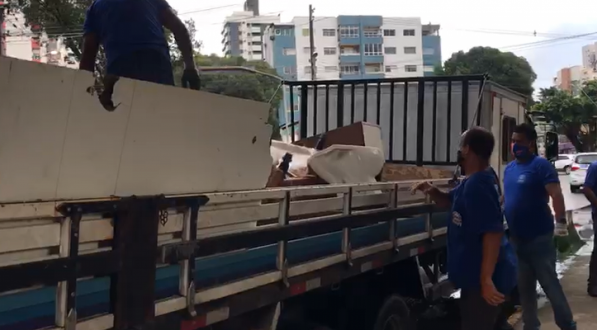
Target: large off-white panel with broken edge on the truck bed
<point>57,142</point>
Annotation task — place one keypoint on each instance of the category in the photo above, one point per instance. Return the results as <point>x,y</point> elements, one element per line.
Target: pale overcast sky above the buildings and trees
<point>507,24</point>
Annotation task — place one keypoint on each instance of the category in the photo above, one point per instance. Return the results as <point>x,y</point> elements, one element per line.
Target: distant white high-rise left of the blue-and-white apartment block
<point>242,34</point>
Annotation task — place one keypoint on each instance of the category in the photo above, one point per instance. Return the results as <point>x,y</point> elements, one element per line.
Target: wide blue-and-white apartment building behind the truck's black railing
<point>353,47</point>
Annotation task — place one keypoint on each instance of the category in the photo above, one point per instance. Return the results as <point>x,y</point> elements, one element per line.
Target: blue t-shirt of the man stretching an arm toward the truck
<point>475,211</point>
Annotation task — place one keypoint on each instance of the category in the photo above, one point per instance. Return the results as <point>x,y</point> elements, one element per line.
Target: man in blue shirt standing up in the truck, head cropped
<point>132,35</point>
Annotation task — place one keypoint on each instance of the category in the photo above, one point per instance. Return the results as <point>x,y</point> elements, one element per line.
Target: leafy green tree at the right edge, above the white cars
<point>572,115</point>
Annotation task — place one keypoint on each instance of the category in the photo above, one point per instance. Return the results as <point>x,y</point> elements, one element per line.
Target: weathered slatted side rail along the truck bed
<point>170,230</point>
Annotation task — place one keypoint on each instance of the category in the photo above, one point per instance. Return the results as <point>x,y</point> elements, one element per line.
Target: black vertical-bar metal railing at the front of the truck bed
<point>421,118</point>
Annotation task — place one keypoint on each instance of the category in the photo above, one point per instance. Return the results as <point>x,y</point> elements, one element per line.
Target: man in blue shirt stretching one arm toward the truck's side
<point>480,260</point>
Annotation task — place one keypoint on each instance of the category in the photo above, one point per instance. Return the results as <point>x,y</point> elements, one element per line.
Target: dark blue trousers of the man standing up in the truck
<point>147,65</point>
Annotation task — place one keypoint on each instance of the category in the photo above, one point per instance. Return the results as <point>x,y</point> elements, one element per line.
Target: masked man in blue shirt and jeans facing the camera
<point>529,181</point>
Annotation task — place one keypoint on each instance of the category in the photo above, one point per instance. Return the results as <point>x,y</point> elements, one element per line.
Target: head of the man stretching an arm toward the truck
<point>476,147</point>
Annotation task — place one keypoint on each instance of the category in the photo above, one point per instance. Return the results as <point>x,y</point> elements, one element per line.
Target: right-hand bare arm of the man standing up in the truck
<point>171,22</point>
